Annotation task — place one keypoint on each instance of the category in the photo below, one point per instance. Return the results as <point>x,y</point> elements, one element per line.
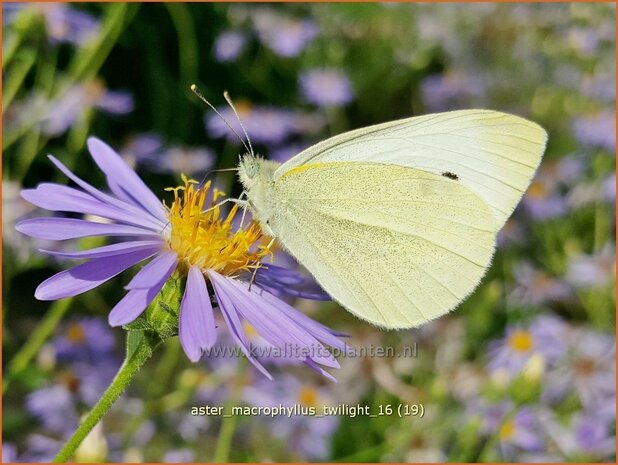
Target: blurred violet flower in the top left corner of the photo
<point>63,23</point>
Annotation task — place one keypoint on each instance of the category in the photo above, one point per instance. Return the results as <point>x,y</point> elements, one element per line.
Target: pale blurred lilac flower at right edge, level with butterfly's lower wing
<point>589,271</point>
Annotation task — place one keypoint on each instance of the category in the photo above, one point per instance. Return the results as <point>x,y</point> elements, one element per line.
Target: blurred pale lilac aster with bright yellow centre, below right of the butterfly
<point>545,336</point>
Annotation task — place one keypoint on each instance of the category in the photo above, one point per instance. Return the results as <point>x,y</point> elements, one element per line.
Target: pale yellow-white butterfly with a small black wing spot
<point>398,221</point>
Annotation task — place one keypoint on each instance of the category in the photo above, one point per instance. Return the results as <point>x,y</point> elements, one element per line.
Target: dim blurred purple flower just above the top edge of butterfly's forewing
<point>452,90</point>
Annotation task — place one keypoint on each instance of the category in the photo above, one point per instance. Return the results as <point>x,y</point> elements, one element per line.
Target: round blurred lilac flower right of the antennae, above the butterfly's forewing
<point>326,87</point>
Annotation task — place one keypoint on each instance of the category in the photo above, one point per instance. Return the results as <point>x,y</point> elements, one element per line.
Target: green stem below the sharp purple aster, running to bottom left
<point>136,357</point>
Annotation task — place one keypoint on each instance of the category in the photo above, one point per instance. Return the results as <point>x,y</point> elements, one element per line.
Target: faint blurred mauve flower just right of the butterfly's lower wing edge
<point>535,287</point>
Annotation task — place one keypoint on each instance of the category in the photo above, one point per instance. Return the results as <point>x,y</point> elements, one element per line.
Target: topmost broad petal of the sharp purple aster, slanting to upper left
<point>117,169</point>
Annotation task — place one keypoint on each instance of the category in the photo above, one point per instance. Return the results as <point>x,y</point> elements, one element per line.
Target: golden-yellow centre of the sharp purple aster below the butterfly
<point>201,236</point>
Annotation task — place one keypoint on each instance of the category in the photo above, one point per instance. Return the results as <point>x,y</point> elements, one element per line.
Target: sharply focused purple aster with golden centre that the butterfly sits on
<point>186,238</point>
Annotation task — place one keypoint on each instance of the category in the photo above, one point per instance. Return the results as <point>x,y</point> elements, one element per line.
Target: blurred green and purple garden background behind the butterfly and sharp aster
<point>524,370</point>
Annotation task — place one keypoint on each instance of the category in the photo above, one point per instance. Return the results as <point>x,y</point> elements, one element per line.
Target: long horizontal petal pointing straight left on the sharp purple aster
<point>58,229</point>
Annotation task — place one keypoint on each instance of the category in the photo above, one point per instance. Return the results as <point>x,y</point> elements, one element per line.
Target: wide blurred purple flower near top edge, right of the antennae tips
<point>285,36</point>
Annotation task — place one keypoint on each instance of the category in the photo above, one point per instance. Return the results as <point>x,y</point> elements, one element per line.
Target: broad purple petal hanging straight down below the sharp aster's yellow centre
<point>197,322</point>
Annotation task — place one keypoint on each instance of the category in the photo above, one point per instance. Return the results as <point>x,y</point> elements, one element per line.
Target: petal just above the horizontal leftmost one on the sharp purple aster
<point>56,197</point>
